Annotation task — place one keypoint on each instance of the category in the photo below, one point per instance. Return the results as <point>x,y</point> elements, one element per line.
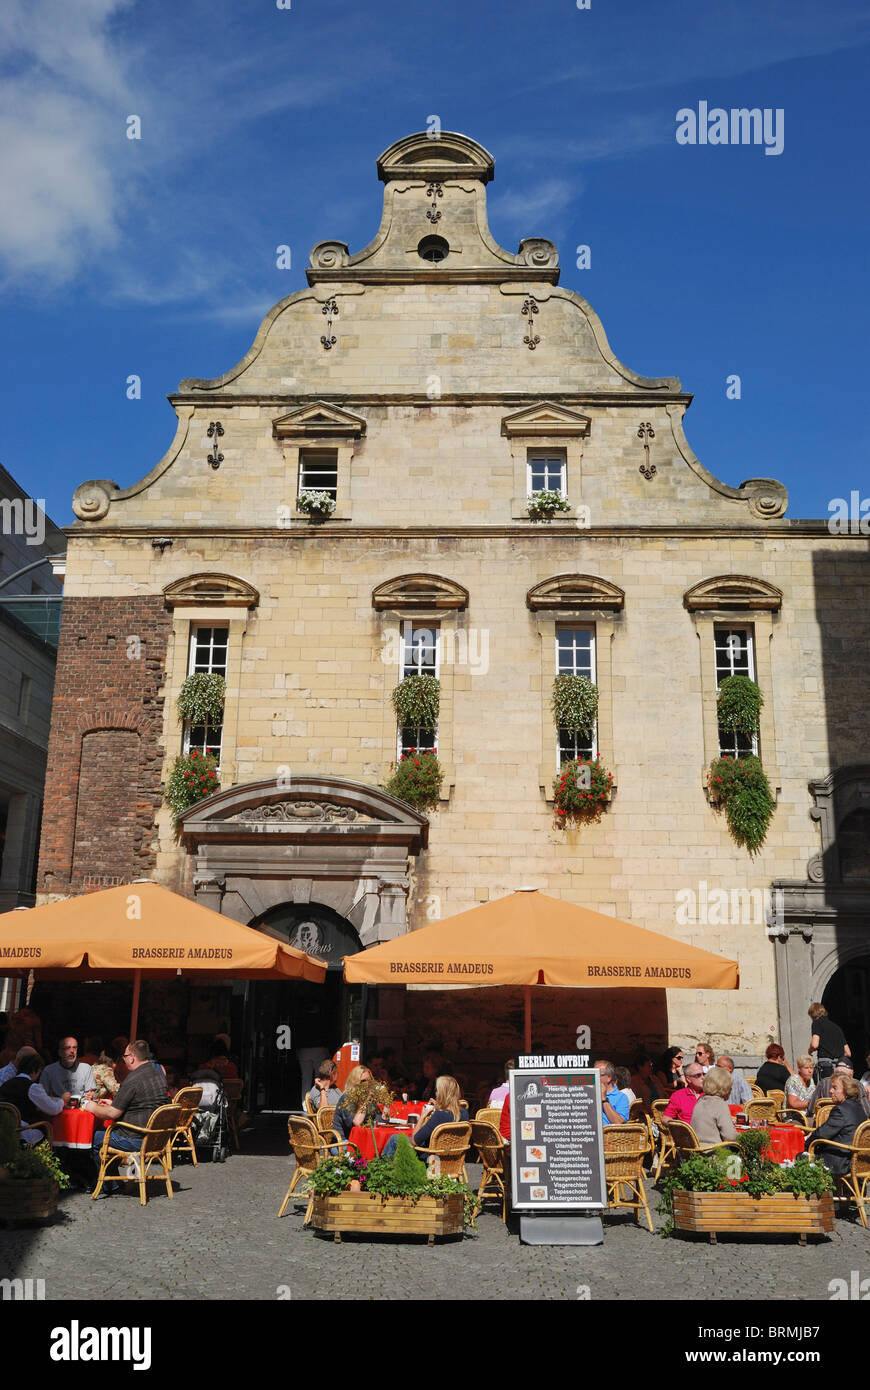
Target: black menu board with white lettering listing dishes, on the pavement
<point>557,1149</point>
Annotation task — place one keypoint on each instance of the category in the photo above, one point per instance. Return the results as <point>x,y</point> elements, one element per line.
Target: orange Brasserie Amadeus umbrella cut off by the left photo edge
<point>138,929</point>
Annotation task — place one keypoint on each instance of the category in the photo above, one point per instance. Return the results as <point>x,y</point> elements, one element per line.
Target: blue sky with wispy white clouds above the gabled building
<point>262,127</point>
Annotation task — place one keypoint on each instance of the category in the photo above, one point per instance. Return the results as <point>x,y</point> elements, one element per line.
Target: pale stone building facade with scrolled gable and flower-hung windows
<point>429,383</point>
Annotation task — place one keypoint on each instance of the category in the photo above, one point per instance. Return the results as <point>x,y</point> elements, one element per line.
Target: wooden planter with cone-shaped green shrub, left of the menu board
<point>397,1197</point>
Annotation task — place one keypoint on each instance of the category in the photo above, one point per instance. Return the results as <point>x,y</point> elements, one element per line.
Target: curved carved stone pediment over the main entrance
<point>319,807</point>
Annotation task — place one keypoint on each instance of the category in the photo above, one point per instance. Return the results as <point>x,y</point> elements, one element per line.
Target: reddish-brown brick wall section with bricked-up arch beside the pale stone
<point>106,744</point>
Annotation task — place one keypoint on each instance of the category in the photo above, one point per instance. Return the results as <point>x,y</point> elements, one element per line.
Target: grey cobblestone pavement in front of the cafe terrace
<point>220,1238</point>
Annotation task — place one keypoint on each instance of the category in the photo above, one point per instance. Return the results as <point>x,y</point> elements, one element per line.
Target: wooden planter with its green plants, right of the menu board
<point>748,1193</point>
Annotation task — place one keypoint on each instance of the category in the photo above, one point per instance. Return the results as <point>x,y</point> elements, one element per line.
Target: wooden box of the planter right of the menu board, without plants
<point>780,1214</point>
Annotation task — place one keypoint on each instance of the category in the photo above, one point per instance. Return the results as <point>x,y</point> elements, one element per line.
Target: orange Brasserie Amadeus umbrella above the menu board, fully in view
<point>532,939</point>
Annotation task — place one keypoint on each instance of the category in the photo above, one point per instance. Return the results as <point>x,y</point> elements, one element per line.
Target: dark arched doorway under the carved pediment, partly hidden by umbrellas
<point>293,1025</point>
